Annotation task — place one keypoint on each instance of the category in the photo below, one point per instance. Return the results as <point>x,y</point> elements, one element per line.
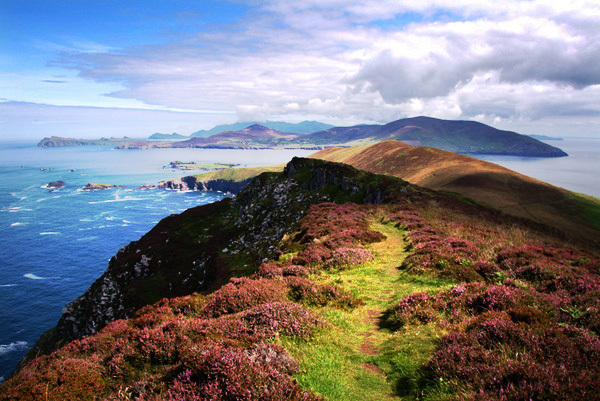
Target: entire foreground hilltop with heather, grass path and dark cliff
<point>328,282</point>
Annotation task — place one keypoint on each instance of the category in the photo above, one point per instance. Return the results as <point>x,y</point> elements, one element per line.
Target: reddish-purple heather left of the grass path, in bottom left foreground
<point>170,351</point>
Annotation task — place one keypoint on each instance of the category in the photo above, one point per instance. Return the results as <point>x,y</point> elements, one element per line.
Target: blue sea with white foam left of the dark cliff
<point>55,242</point>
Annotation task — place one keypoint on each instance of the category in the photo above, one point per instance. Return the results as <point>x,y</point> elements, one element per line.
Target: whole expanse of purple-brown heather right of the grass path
<point>522,320</point>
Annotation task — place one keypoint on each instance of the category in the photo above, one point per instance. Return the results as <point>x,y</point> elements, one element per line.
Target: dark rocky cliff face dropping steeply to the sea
<point>209,244</point>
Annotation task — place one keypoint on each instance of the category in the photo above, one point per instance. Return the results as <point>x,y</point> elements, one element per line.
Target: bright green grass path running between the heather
<point>354,358</point>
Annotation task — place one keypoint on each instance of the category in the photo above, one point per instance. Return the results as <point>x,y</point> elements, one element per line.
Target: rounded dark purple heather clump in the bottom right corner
<point>502,360</point>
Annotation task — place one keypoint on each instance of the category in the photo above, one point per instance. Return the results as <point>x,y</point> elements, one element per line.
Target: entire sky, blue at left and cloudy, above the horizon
<point>113,68</point>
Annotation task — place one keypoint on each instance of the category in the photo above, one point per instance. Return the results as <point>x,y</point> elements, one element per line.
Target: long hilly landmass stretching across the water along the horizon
<point>456,136</point>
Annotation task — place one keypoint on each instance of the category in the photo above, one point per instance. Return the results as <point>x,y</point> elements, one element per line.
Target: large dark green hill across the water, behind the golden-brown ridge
<point>455,136</point>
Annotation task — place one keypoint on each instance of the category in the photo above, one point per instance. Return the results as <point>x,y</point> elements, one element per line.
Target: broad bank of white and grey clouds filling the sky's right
<point>374,60</point>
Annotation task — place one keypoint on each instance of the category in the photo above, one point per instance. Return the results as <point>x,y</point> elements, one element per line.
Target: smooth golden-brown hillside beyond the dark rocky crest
<point>484,182</point>
